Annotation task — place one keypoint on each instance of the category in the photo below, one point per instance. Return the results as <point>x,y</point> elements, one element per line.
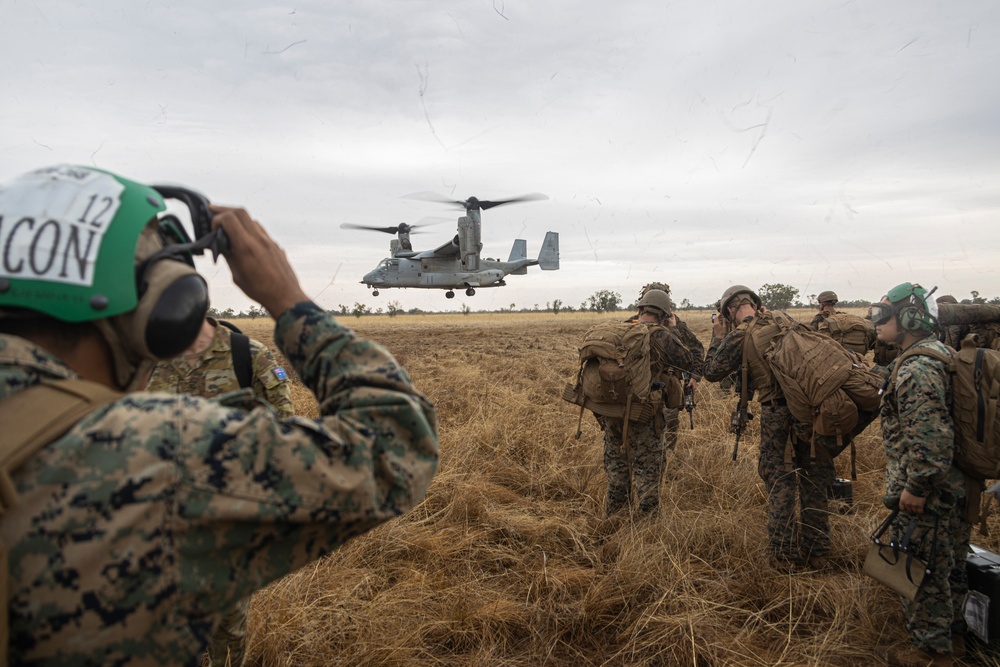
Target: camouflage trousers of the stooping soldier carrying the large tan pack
<point>789,539</point>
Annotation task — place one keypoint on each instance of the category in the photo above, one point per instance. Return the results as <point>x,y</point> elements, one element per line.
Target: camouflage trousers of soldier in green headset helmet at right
<point>937,612</point>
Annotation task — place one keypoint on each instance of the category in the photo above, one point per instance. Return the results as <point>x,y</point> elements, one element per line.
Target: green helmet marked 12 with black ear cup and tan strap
<point>86,245</point>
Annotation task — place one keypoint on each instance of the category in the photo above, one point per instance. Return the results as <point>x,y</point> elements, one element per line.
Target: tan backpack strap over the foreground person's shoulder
<point>32,419</point>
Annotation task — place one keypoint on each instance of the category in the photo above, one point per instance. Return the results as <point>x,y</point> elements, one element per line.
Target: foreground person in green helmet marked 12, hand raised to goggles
<point>133,521</point>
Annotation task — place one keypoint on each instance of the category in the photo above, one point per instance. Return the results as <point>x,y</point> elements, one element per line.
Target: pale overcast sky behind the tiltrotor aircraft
<point>825,145</point>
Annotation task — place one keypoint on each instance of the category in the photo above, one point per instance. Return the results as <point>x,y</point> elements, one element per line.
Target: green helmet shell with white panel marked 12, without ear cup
<point>68,238</point>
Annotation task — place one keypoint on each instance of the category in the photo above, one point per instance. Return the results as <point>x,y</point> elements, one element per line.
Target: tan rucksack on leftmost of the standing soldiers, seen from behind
<point>615,378</point>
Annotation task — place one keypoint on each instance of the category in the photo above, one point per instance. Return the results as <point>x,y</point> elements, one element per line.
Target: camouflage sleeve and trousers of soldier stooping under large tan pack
<point>809,476</point>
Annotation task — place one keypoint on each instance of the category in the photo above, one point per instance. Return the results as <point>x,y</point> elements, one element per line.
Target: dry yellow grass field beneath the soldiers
<point>509,560</point>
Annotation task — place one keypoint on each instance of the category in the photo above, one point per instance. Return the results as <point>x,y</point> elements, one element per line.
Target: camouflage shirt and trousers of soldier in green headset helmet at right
<point>919,446</point>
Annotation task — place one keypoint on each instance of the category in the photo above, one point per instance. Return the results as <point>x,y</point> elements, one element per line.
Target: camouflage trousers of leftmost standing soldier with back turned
<point>645,452</point>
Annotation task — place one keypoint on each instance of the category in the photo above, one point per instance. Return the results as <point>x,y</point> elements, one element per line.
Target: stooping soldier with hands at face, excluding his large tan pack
<point>783,475</point>
